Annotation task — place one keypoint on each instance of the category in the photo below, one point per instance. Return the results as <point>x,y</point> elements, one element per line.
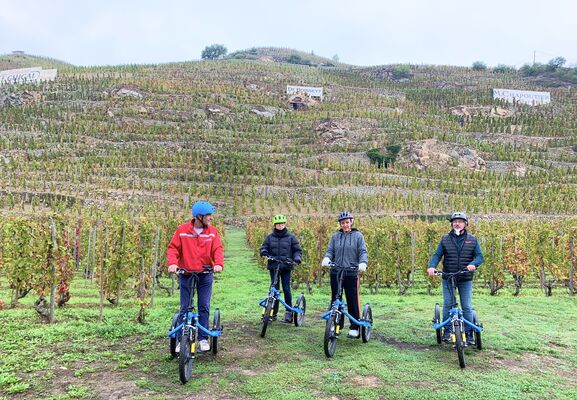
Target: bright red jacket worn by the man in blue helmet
<point>191,251</point>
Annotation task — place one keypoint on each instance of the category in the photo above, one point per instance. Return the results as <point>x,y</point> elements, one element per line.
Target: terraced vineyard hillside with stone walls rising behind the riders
<point>155,137</point>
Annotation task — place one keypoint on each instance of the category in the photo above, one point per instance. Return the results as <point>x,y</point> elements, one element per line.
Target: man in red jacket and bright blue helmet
<point>194,245</point>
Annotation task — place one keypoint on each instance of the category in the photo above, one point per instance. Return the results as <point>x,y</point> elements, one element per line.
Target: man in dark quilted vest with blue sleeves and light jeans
<point>460,250</point>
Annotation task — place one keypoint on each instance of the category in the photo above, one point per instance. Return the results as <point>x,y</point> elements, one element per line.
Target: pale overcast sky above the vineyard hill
<point>360,32</point>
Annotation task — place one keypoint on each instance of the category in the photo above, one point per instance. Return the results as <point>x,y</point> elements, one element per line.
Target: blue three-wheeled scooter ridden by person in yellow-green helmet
<point>268,303</point>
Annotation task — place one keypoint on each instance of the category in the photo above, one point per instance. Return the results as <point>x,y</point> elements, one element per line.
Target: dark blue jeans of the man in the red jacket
<point>203,294</point>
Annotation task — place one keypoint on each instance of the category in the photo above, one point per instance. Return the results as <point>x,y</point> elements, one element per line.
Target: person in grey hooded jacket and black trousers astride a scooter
<point>347,248</point>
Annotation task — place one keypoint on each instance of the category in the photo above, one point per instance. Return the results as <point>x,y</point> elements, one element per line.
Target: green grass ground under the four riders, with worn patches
<point>530,348</point>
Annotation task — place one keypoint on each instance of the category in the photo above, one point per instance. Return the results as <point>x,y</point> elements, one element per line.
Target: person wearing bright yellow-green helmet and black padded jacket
<point>282,245</point>
